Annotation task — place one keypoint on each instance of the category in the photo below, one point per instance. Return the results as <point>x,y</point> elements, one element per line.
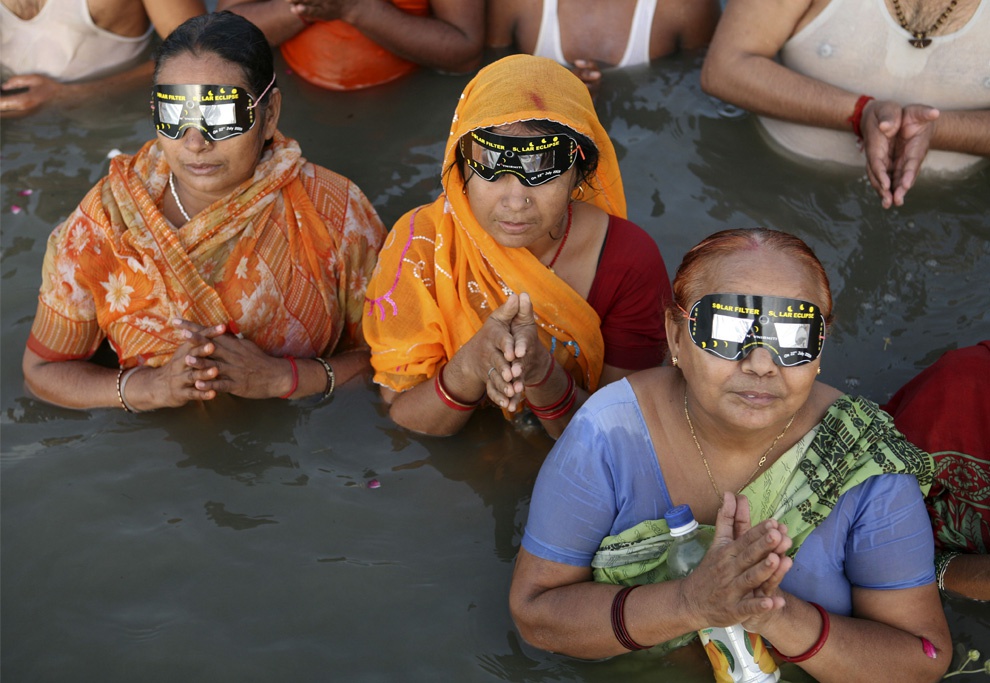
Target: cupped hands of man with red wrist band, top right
<point>895,140</point>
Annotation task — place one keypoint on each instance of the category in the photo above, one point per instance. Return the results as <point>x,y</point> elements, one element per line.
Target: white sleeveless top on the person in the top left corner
<point>63,43</point>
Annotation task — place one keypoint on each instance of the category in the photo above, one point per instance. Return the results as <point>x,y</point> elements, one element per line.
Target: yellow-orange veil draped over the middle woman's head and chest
<point>440,274</point>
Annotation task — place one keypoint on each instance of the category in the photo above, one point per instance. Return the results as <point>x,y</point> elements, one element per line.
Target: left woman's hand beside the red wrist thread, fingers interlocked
<point>242,368</point>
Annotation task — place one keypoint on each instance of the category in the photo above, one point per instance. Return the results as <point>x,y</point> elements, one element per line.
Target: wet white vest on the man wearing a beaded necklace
<point>856,45</point>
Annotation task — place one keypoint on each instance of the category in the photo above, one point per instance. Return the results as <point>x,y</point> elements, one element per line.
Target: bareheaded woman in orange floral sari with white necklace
<point>213,258</point>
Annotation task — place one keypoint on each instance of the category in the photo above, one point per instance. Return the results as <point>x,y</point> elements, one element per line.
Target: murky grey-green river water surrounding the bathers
<point>240,541</point>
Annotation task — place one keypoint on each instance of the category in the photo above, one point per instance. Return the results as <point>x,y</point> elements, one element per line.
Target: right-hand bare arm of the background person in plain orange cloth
<point>451,38</point>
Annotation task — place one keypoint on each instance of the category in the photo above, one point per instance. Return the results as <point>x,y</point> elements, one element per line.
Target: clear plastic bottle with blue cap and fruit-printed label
<point>737,656</point>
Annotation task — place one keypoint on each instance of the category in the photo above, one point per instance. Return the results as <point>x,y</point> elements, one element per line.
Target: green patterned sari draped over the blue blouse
<point>854,441</point>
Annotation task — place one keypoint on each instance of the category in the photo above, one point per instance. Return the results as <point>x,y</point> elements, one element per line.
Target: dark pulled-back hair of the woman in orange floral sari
<point>230,37</point>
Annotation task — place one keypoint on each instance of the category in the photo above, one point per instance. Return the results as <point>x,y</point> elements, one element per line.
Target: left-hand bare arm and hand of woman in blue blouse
<point>558,608</point>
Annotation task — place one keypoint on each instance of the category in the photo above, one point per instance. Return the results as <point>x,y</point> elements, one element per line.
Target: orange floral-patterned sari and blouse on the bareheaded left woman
<point>285,259</point>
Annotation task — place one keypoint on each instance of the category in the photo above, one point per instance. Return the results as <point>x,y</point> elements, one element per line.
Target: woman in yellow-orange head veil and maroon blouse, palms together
<point>522,282</point>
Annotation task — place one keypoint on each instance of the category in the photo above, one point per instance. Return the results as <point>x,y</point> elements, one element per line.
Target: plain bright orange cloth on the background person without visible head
<point>337,56</point>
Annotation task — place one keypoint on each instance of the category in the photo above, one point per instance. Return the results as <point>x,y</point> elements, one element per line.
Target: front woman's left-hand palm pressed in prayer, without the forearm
<point>738,578</point>
